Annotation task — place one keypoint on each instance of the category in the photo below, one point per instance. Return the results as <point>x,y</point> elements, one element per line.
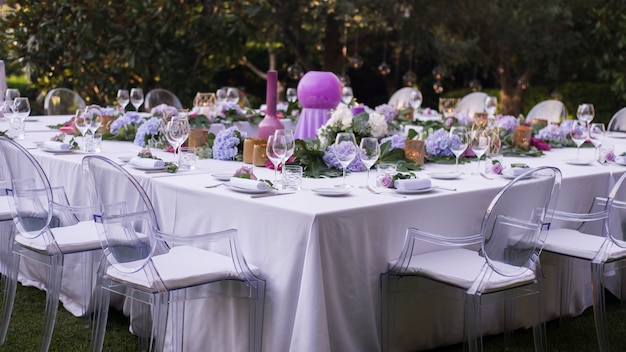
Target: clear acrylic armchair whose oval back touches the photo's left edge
<point>49,231</point>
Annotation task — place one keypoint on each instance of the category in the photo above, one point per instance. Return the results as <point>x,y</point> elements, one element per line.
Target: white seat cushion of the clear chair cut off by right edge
<point>577,244</point>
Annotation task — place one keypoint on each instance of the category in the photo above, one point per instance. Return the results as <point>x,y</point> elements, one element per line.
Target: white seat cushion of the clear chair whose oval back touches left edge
<point>75,238</point>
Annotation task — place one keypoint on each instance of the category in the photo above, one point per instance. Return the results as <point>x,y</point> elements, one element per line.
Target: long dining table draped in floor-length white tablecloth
<point>322,256</point>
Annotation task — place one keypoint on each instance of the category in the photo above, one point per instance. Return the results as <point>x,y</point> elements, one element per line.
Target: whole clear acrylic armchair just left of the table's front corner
<point>160,270</point>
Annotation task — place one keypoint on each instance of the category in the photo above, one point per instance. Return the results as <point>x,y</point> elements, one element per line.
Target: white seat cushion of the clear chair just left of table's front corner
<point>183,266</point>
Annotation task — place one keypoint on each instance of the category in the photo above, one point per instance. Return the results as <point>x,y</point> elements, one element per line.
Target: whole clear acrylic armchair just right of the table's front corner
<point>498,264</point>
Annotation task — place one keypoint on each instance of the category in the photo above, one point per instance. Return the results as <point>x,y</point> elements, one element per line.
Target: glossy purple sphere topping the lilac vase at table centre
<point>319,90</point>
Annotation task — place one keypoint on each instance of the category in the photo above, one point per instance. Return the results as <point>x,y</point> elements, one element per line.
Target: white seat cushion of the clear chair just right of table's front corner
<point>460,267</point>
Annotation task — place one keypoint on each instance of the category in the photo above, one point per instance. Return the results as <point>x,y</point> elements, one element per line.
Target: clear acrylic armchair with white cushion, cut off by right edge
<point>604,249</point>
